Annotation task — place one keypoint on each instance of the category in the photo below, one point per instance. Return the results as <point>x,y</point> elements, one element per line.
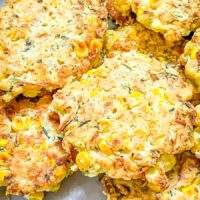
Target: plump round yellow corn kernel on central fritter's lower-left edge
<point>83,160</point>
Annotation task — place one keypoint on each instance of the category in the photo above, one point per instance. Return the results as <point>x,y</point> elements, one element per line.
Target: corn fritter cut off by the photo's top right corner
<point>173,18</point>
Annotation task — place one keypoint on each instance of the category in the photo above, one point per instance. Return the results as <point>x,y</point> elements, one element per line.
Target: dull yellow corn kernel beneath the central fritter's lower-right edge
<point>167,162</point>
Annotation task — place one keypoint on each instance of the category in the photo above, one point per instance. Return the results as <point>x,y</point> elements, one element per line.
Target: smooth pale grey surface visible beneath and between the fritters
<point>76,187</point>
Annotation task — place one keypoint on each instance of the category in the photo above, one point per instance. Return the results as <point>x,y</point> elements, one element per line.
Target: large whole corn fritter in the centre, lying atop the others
<point>121,117</point>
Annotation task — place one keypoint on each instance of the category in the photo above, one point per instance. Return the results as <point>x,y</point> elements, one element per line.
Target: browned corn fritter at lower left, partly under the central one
<point>32,159</point>
